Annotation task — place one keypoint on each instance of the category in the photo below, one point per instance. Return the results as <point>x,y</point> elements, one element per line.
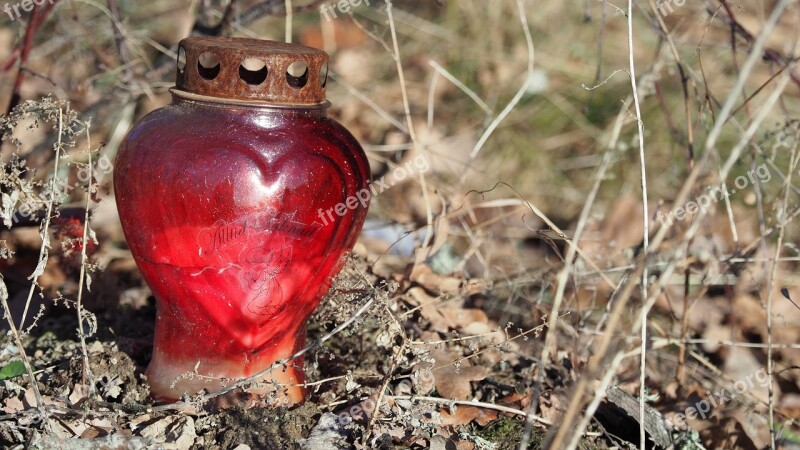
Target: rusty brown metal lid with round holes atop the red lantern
<point>251,70</point>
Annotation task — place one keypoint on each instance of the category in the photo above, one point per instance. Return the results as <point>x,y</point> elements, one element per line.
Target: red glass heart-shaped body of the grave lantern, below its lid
<point>231,215</point>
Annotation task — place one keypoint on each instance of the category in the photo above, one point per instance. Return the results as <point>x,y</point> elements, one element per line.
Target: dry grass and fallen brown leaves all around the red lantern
<point>464,317</point>
